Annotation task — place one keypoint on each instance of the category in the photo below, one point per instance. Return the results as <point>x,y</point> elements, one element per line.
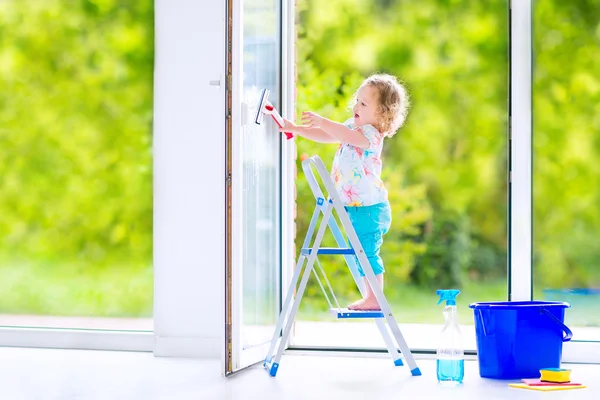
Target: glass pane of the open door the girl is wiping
<point>260,150</point>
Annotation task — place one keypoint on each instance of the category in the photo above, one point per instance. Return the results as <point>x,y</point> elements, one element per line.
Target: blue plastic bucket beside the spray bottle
<point>517,339</point>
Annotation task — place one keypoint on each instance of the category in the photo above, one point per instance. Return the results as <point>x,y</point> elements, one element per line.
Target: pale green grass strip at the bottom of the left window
<point>40,287</point>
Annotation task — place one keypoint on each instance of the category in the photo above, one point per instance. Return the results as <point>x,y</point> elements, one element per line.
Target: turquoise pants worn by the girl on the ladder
<point>370,224</point>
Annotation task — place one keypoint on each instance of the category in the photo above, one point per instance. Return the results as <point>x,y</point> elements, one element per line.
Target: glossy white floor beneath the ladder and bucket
<point>76,374</point>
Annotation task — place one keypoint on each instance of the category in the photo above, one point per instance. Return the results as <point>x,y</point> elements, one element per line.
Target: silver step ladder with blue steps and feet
<point>352,254</point>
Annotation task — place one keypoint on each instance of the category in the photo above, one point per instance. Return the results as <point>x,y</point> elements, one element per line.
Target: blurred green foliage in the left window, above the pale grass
<point>76,129</point>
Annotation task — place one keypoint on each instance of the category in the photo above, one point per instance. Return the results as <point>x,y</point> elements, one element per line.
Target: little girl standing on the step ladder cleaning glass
<point>380,109</point>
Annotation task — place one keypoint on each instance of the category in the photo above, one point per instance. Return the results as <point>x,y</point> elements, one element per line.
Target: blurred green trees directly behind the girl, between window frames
<point>453,57</point>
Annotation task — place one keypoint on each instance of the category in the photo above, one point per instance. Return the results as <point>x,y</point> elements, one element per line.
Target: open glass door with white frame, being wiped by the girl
<point>255,158</point>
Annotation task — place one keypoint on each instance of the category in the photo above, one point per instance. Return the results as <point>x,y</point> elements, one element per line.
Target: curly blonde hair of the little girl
<point>393,100</point>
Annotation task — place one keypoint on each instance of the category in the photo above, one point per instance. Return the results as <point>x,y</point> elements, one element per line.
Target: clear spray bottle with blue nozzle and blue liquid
<point>450,353</point>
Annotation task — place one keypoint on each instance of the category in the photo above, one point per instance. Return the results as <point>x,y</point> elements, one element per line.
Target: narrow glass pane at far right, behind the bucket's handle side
<point>566,149</point>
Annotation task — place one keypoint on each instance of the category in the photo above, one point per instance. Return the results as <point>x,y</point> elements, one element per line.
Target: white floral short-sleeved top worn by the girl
<point>356,172</point>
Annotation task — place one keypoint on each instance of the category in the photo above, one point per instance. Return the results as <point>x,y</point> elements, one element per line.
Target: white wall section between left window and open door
<point>189,178</point>
